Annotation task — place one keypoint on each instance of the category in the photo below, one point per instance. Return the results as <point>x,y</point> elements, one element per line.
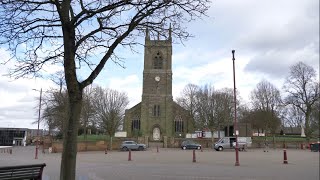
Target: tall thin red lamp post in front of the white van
<point>235,126</point>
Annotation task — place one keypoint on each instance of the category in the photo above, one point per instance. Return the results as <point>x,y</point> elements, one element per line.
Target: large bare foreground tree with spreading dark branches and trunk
<point>70,33</point>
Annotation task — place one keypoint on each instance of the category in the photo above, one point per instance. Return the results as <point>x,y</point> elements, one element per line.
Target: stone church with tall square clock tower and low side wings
<point>157,116</point>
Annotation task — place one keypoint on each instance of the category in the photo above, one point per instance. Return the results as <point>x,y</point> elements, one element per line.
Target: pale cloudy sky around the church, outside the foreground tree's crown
<point>268,37</point>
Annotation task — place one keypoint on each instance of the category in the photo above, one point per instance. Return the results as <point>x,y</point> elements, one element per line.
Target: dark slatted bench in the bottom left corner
<point>31,172</point>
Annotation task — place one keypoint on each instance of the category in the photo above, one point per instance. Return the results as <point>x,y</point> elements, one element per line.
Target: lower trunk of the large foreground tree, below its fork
<point>69,153</point>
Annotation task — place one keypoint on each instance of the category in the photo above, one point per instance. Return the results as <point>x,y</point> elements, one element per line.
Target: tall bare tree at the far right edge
<point>302,88</point>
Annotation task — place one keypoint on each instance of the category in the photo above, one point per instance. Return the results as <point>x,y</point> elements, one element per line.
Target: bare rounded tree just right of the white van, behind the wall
<point>266,101</point>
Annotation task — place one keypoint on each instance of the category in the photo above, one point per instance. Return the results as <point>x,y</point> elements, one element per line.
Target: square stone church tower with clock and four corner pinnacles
<point>156,105</point>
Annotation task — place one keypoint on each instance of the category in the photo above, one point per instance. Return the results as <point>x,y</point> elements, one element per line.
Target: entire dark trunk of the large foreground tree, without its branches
<point>70,129</point>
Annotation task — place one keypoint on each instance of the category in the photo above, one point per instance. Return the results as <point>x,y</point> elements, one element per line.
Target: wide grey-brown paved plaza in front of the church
<point>176,164</point>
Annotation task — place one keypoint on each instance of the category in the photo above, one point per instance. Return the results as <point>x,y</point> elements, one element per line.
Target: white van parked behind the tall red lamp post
<point>230,143</point>
